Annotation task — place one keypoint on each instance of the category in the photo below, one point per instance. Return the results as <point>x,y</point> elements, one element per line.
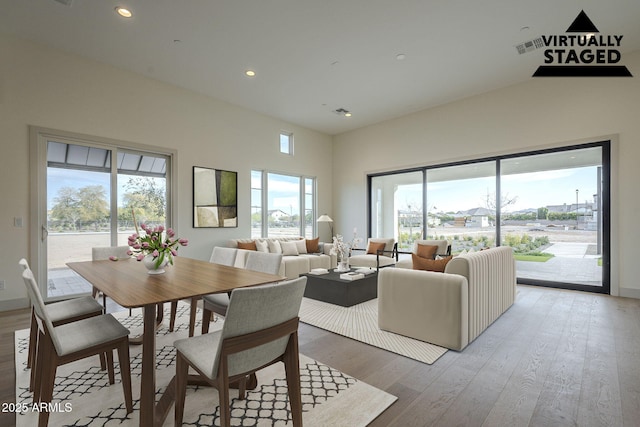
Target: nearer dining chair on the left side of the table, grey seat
<point>59,345</point>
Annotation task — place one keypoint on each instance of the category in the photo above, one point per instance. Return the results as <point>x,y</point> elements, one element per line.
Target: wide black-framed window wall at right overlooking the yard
<point>551,206</point>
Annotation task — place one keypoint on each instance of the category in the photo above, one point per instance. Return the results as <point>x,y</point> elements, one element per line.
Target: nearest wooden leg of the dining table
<point>148,383</point>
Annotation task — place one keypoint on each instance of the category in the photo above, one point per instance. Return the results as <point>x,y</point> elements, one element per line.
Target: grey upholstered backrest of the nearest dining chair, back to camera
<point>255,309</point>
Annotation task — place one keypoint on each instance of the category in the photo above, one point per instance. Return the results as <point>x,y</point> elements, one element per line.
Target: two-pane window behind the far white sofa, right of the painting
<point>290,205</point>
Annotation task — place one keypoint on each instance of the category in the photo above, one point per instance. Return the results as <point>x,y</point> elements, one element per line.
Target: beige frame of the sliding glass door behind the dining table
<point>38,140</point>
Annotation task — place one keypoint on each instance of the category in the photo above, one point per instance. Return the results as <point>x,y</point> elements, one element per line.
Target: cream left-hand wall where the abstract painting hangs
<point>44,87</point>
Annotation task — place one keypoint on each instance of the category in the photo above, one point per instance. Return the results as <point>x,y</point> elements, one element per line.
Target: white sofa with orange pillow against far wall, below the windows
<point>293,265</point>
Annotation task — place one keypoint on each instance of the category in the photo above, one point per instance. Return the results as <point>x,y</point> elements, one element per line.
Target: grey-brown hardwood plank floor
<point>556,358</point>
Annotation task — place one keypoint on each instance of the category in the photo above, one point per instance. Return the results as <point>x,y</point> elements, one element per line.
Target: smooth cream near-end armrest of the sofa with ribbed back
<point>424,305</point>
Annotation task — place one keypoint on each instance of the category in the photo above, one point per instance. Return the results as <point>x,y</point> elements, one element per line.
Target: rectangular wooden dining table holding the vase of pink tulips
<point>128,283</point>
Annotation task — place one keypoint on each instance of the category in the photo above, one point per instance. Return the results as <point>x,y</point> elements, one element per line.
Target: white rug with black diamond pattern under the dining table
<point>83,396</point>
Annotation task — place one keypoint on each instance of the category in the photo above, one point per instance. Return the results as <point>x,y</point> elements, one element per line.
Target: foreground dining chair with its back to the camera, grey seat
<point>260,329</point>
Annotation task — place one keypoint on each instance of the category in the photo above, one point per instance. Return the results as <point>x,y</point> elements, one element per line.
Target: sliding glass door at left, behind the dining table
<point>91,194</point>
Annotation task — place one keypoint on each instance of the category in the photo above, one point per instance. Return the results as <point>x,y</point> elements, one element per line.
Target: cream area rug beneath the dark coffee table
<point>360,322</point>
